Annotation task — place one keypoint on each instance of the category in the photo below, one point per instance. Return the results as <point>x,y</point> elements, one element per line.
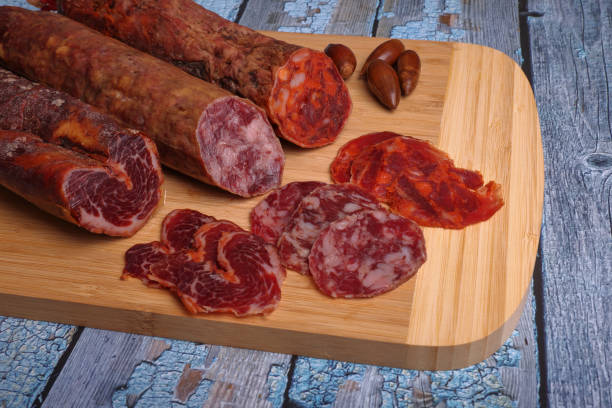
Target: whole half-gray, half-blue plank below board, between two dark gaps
<point>117,369</point>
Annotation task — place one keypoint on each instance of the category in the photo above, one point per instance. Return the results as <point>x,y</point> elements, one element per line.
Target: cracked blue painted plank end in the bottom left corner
<point>29,351</point>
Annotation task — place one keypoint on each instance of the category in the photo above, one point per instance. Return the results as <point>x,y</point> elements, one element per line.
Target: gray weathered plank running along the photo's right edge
<point>571,49</point>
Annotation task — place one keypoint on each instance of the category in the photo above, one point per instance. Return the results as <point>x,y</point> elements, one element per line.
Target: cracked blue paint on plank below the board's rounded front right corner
<point>323,383</point>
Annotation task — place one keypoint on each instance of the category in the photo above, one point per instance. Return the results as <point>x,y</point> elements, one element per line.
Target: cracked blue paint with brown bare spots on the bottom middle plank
<point>194,375</point>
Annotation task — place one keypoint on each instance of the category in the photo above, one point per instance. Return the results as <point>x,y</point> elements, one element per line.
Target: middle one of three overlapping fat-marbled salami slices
<point>315,212</point>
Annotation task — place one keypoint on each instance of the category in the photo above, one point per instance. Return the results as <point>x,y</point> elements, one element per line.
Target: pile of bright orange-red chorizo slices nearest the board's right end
<point>418,181</point>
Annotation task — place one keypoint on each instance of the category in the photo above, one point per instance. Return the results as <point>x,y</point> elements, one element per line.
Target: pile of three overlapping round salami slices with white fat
<point>341,236</point>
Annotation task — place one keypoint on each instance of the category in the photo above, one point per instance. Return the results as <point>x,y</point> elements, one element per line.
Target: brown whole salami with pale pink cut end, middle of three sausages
<point>200,129</point>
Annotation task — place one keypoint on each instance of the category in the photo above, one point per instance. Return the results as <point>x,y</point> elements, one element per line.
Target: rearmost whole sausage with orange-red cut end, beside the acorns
<point>299,88</point>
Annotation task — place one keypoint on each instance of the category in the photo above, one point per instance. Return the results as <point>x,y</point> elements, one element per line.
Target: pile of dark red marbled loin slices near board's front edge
<point>217,268</point>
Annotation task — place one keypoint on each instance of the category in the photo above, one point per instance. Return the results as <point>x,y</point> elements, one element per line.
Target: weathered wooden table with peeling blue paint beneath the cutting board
<point>559,354</point>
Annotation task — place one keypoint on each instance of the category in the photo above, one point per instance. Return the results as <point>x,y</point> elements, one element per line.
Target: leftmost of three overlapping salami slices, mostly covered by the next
<point>270,217</point>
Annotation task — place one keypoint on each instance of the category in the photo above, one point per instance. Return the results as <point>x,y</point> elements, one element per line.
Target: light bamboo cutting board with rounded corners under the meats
<point>472,102</point>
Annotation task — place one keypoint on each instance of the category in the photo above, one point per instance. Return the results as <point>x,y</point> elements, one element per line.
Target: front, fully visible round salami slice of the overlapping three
<point>366,254</point>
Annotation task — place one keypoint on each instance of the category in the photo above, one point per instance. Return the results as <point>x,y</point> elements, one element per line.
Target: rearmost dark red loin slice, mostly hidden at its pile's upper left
<point>180,226</point>
